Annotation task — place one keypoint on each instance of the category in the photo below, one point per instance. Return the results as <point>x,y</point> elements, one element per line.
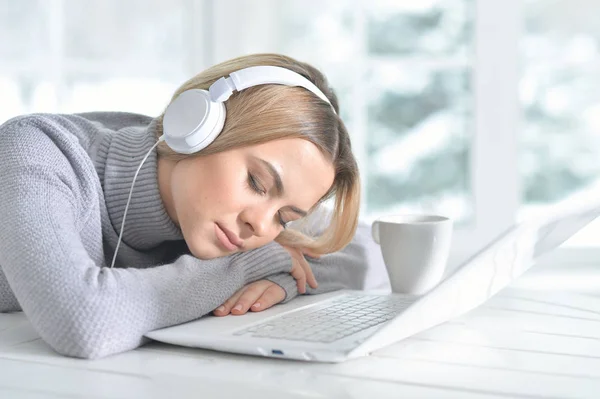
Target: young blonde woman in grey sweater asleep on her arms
<point>205,232</point>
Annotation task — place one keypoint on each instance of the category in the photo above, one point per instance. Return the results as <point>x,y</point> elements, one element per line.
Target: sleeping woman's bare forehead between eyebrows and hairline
<point>306,174</point>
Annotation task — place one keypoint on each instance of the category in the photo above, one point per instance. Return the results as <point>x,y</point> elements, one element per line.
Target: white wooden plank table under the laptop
<point>529,341</point>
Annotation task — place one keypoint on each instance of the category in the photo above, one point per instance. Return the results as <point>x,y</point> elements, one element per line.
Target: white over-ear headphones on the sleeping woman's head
<point>196,117</point>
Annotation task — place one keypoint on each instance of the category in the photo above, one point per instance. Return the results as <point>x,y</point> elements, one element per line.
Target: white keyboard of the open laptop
<point>343,316</point>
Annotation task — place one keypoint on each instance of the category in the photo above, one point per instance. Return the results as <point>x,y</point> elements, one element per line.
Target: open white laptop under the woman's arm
<point>345,324</point>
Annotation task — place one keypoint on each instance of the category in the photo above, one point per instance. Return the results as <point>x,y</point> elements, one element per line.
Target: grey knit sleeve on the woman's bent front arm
<point>80,308</point>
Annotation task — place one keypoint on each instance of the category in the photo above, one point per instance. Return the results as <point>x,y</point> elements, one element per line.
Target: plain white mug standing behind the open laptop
<point>415,250</point>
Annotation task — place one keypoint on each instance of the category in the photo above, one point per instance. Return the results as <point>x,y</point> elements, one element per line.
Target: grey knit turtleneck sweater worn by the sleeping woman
<point>64,183</point>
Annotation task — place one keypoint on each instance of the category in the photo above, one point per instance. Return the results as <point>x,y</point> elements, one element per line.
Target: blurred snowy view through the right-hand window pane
<point>560,96</point>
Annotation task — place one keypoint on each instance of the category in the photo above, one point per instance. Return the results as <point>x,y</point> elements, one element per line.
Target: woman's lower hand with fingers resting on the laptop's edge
<point>256,296</point>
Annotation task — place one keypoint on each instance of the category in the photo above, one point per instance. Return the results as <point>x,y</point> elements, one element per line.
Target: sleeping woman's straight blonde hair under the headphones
<point>271,112</point>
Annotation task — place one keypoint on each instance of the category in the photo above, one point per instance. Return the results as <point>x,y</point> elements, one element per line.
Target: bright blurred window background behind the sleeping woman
<point>481,110</point>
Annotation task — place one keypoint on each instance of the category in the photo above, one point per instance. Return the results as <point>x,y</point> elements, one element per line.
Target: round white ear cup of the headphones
<point>192,121</point>
